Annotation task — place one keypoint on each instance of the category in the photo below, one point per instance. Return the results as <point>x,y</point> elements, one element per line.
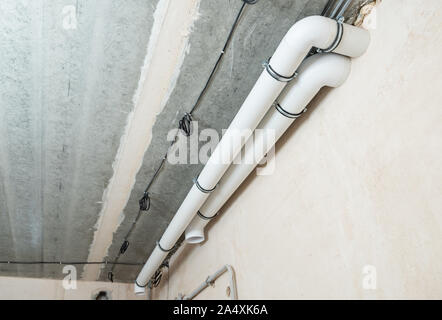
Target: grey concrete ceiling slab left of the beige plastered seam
<point>64,99</point>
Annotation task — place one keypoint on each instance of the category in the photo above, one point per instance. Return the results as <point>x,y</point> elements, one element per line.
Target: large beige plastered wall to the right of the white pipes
<point>358,182</point>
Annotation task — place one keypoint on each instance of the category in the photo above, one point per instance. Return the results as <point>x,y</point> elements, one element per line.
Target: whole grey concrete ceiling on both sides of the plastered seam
<point>65,97</point>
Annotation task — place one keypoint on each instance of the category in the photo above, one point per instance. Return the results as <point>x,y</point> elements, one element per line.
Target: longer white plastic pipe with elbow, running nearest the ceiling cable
<point>314,31</point>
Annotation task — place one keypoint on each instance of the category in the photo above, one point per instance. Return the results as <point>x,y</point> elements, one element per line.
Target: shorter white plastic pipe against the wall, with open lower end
<point>329,70</point>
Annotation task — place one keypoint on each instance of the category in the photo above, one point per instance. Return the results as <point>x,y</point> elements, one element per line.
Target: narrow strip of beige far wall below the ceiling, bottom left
<point>46,289</point>
